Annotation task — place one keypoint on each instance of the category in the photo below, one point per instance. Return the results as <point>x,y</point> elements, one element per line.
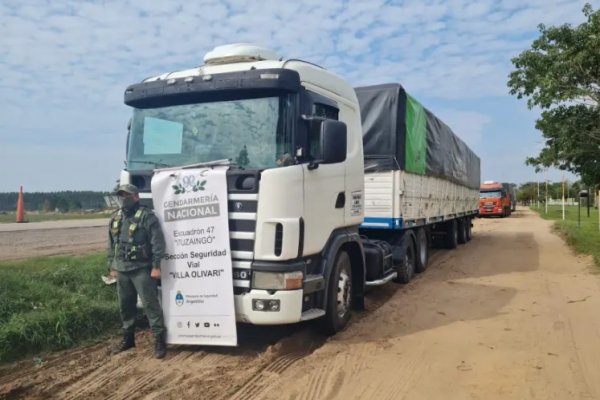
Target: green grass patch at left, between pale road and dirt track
<point>54,303</point>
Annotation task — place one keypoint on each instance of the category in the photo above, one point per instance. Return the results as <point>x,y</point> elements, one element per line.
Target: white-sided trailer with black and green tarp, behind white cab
<point>421,182</point>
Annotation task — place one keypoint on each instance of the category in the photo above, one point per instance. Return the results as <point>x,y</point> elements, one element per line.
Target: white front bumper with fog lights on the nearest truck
<point>290,310</point>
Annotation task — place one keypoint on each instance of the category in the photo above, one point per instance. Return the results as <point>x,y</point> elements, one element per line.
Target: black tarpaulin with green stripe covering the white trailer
<point>399,133</point>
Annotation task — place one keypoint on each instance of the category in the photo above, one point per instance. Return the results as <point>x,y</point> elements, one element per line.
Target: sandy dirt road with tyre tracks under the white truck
<point>511,315</point>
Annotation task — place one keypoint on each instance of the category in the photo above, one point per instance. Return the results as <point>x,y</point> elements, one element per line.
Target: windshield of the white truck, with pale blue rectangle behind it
<point>251,132</point>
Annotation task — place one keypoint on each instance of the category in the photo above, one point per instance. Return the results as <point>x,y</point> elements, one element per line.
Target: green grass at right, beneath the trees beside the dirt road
<point>584,238</point>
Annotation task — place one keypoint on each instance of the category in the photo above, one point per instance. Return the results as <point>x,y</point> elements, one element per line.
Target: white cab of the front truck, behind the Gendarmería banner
<point>291,131</point>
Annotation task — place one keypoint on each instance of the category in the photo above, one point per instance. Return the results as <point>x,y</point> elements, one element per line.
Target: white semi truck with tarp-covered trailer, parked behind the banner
<point>322,204</point>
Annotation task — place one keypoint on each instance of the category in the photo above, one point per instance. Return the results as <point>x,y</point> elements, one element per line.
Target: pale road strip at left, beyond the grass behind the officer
<point>51,238</point>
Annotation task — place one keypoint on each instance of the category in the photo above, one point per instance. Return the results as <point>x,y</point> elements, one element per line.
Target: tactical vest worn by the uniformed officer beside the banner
<point>129,250</point>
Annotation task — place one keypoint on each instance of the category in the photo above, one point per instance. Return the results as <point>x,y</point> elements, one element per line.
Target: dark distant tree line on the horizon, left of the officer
<point>54,201</point>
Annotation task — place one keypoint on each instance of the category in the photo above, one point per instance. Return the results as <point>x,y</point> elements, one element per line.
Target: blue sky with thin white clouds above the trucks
<point>64,66</point>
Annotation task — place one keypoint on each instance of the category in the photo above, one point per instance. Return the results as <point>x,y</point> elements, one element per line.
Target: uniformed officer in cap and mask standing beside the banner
<point>136,246</point>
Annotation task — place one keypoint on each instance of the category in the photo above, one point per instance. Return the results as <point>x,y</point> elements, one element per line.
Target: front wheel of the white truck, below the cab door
<point>339,295</point>
